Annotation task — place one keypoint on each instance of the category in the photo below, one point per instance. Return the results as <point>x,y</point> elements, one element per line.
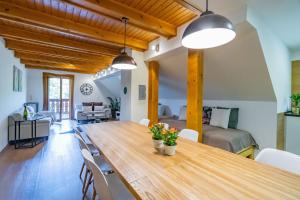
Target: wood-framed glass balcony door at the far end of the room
<point>58,95</point>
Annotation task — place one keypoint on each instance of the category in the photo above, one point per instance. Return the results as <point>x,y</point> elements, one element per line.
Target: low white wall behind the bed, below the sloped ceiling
<point>257,117</point>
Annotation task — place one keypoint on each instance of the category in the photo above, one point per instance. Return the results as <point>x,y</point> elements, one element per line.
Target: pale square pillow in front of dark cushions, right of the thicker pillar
<point>220,117</point>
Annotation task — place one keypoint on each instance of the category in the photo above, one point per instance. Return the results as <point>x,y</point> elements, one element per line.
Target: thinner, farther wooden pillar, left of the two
<point>153,83</point>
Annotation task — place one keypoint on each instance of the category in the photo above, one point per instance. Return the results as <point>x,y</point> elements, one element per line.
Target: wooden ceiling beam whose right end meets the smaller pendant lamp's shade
<point>17,34</point>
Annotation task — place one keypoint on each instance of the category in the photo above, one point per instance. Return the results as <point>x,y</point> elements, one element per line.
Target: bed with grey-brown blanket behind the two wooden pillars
<point>233,140</point>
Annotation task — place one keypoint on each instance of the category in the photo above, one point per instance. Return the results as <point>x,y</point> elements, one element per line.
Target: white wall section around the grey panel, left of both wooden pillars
<point>132,108</point>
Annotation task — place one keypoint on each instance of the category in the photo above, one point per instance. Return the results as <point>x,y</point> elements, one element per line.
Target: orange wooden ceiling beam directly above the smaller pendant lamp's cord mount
<point>116,11</point>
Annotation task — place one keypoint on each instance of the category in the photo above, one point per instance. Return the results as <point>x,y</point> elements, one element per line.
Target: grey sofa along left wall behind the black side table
<point>42,126</point>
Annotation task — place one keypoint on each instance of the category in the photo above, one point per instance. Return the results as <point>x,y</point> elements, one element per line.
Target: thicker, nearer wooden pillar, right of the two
<point>195,91</point>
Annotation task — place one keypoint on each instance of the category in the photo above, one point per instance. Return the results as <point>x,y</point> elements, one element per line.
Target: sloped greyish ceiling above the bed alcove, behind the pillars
<point>236,71</point>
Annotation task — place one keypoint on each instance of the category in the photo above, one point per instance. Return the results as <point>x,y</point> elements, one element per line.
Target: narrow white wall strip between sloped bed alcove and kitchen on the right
<point>277,58</point>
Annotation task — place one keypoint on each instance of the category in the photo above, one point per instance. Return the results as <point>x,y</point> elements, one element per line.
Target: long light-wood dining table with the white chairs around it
<point>121,161</point>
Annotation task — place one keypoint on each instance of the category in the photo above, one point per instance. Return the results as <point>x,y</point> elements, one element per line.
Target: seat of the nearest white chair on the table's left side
<point>118,189</point>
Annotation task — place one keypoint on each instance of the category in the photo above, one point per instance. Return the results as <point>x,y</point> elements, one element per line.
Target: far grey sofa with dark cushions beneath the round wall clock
<point>89,111</point>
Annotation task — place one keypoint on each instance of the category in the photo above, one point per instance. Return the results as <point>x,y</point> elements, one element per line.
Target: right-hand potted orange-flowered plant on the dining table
<point>170,136</point>
